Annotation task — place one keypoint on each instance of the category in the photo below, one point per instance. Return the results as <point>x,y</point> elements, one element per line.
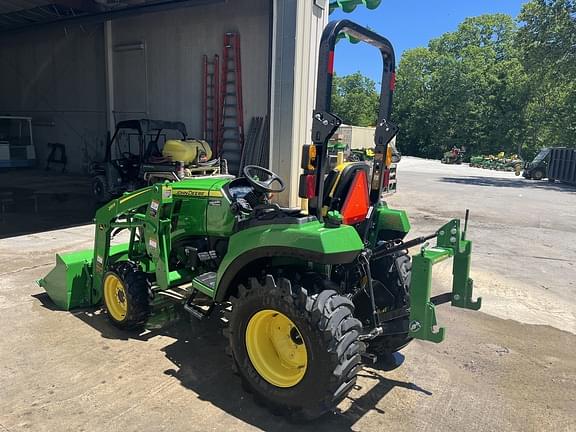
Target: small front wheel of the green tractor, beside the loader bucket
<point>126,295</point>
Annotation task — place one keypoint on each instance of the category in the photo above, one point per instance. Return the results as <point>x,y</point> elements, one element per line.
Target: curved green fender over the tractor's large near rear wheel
<point>310,241</point>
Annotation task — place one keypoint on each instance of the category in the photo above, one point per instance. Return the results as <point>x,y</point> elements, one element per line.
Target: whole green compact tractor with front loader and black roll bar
<point>308,297</point>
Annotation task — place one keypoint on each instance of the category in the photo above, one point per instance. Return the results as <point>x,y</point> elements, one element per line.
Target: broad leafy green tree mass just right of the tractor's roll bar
<point>466,89</point>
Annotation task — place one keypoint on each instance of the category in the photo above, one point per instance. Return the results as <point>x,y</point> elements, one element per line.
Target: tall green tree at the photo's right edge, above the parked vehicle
<point>546,41</point>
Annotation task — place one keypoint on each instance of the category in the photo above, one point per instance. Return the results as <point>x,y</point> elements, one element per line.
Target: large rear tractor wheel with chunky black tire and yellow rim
<point>298,353</point>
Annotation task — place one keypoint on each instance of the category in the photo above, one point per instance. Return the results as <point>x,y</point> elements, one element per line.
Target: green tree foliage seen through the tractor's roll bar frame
<point>355,100</point>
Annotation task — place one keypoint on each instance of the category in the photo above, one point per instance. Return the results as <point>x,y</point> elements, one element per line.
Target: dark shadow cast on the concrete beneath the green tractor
<point>202,365</point>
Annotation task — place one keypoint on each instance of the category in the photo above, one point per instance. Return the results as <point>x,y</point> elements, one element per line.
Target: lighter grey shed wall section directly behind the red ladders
<point>170,45</point>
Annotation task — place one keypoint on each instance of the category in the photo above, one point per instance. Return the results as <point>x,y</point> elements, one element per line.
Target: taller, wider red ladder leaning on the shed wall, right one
<point>231,134</point>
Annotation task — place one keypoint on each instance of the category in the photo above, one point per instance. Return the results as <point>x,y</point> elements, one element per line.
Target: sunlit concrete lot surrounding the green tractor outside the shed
<point>510,367</point>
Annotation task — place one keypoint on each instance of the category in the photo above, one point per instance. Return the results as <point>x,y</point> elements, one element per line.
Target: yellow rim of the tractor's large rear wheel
<point>276,348</point>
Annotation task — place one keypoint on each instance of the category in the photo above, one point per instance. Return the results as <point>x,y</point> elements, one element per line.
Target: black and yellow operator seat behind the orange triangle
<point>338,184</point>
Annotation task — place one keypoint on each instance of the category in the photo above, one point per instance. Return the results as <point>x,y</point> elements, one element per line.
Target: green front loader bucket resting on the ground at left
<point>69,283</point>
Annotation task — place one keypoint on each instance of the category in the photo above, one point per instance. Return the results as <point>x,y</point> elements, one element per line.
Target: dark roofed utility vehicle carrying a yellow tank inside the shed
<point>142,152</point>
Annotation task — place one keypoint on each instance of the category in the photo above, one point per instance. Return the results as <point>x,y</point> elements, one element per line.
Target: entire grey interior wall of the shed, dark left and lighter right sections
<point>58,76</point>
